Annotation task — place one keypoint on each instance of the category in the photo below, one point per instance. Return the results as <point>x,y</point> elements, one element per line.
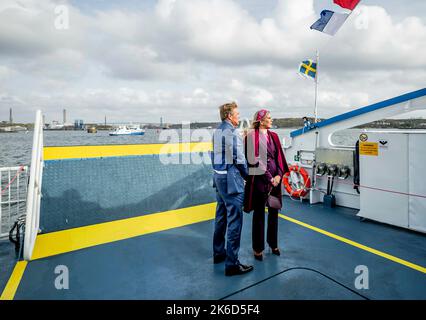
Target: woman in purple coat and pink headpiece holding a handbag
<point>267,165</point>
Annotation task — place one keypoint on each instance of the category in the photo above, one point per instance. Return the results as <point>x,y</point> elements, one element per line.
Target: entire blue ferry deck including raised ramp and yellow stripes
<point>120,223</point>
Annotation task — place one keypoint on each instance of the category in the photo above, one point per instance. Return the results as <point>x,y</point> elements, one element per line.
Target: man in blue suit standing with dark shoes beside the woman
<point>230,170</point>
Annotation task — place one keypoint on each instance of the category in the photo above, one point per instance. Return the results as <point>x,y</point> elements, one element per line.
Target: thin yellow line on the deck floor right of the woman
<point>356,244</point>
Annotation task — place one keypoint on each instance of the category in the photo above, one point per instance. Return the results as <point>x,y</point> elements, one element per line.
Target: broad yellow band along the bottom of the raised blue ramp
<point>54,243</point>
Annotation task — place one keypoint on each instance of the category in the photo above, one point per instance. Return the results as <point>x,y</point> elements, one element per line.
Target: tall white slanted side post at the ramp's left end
<point>34,189</point>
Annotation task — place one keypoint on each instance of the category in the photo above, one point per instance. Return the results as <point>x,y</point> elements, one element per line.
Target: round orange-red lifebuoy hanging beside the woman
<point>300,182</point>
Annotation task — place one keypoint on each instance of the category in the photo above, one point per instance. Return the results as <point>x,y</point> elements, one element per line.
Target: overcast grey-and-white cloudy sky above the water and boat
<point>180,59</point>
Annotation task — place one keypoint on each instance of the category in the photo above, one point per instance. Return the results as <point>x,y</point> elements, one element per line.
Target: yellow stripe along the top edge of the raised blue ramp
<point>81,152</point>
